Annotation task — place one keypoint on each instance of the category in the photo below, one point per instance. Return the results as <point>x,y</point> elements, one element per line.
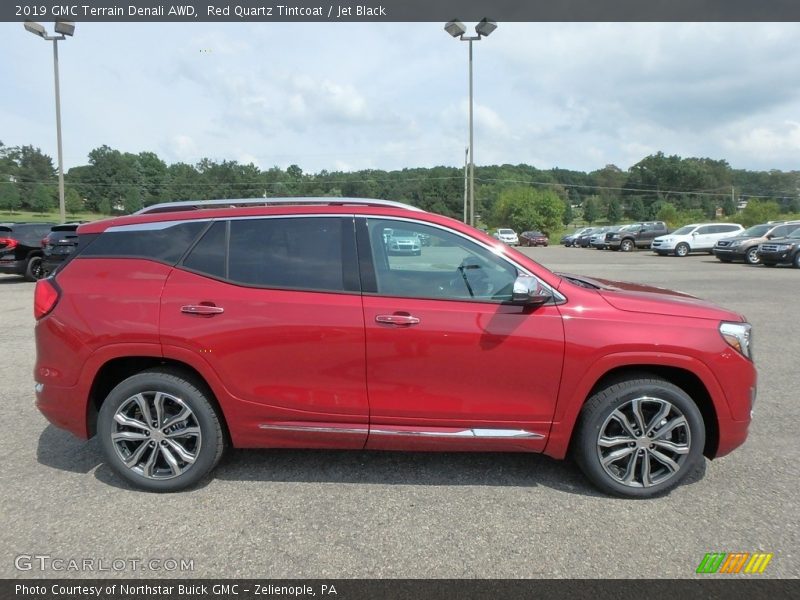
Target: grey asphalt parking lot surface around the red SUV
<point>323,514</point>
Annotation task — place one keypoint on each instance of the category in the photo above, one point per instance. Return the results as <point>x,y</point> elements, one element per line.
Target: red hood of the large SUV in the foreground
<point>636,297</point>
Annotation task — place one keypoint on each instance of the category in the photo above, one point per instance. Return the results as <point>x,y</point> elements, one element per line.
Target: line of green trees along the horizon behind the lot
<point>668,188</point>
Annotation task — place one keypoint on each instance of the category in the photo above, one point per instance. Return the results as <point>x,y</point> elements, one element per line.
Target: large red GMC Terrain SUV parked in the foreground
<point>191,327</point>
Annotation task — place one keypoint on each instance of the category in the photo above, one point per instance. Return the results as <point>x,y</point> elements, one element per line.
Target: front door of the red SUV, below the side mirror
<point>450,363</point>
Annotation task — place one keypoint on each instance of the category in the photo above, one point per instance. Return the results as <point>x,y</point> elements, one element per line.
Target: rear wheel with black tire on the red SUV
<point>199,435</point>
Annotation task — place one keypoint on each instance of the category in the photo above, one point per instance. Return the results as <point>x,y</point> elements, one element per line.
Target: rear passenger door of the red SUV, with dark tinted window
<point>272,306</point>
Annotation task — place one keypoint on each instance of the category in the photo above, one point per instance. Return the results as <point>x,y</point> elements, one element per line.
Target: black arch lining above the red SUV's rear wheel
<point>116,370</point>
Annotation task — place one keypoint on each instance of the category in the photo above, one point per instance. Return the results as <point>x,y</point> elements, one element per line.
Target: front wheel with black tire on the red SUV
<point>681,444</point>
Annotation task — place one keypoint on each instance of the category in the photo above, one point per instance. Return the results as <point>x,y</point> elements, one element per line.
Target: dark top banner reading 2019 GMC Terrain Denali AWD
<point>401,10</point>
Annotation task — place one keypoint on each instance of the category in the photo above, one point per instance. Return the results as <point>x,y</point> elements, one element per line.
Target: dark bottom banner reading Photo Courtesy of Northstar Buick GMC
<point>710,588</point>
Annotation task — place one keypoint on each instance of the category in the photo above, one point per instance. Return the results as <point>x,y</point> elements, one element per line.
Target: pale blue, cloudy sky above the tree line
<point>345,96</point>
